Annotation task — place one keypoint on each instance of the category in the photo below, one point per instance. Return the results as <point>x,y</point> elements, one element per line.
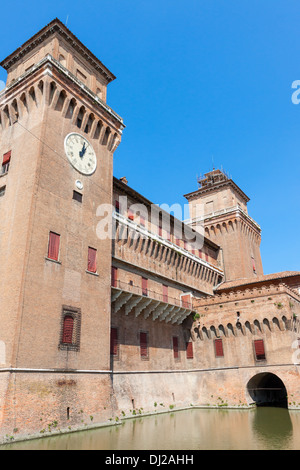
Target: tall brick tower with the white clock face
<point>57,139</point>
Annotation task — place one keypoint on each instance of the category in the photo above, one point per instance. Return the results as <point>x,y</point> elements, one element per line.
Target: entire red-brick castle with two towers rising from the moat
<point>158,315</point>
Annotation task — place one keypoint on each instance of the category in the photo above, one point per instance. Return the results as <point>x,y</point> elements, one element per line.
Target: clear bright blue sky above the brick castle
<point>199,83</point>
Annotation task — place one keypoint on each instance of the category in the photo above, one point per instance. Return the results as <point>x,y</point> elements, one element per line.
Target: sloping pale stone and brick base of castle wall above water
<point>38,403</point>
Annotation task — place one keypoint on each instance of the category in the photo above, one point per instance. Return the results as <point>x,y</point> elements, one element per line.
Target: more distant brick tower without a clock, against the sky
<point>221,206</point>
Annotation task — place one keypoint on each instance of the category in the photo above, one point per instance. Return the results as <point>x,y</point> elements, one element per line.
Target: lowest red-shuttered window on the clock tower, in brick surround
<point>70,329</point>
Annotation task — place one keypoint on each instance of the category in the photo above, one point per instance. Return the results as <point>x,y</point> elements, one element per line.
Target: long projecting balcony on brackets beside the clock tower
<point>150,304</point>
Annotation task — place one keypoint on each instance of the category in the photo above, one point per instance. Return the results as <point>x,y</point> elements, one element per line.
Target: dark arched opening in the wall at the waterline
<point>267,389</point>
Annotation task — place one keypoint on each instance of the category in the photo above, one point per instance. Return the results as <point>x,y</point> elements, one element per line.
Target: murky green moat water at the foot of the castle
<point>195,429</point>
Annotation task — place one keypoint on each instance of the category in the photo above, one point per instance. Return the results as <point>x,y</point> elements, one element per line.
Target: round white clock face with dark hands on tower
<point>80,153</point>
